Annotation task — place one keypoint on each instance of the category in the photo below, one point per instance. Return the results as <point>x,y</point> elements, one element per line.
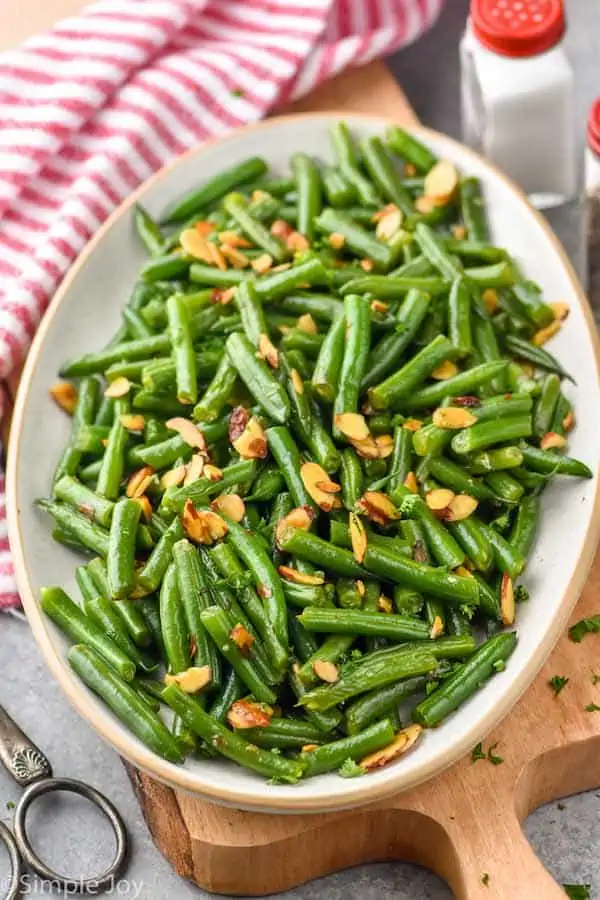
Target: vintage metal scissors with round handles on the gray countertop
<point>32,770</point>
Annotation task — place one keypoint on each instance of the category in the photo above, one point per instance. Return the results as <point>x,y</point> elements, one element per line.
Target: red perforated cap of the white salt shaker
<point>518,27</point>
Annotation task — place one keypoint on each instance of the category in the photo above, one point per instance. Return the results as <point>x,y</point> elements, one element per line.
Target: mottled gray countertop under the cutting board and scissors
<point>567,839</point>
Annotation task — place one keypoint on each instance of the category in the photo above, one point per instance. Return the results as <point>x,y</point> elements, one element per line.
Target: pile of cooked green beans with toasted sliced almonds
<point>308,468</point>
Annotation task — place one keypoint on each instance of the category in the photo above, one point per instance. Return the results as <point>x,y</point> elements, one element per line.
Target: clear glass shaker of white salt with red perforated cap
<point>518,95</point>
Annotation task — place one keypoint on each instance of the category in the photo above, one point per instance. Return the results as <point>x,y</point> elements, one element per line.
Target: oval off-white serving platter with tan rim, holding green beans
<point>84,314</point>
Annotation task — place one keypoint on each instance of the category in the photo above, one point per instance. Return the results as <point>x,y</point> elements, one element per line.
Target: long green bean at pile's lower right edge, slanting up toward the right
<point>463,683</point>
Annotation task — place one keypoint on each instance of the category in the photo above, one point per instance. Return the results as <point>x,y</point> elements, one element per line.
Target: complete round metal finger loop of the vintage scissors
<point>68,883</point>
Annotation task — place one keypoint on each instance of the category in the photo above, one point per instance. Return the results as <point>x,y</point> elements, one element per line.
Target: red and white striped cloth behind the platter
<point>92,108</point>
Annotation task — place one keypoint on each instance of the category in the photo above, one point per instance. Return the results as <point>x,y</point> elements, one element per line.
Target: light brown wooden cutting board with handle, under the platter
<point>462,824</point>
